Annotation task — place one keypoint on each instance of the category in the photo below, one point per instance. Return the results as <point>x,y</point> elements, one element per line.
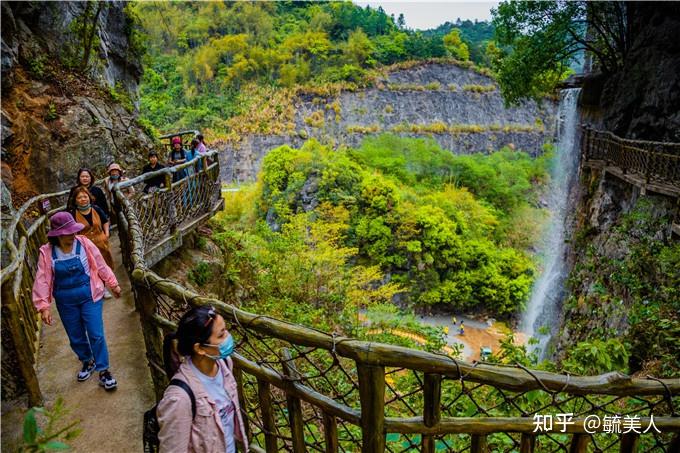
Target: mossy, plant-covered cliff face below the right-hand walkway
<point>620,256</point>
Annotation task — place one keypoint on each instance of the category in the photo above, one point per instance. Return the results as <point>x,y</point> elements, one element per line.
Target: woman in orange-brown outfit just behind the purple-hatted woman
<point>95,223</point>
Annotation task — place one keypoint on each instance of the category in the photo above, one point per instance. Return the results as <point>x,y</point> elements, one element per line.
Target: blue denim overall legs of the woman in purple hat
<point>84,325</point>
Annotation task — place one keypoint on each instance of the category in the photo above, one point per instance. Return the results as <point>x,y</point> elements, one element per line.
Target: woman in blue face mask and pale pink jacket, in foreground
<point>206,346</point>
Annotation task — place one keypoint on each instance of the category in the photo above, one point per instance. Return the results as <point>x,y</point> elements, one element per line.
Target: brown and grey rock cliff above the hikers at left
<point>56,119</point>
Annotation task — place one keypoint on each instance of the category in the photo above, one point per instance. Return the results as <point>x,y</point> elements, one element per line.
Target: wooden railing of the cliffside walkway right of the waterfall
<point>647,161</point>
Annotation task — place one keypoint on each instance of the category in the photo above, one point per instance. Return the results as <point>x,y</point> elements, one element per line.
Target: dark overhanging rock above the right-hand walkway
<point>642,100</point>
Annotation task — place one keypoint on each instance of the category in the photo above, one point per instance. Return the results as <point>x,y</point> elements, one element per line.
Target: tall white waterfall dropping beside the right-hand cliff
<point>540,320</point>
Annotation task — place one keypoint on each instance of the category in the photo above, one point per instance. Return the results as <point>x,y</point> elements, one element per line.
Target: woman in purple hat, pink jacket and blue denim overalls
<point>73,272</point>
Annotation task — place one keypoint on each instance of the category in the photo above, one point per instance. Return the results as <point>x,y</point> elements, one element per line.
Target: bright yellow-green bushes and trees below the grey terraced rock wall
<point>450,231</point>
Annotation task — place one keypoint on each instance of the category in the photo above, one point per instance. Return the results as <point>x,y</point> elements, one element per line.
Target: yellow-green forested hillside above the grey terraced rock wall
<point>202,55</point>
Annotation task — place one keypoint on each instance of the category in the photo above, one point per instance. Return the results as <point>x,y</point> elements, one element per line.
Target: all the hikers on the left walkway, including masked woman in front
<point>200,409</point>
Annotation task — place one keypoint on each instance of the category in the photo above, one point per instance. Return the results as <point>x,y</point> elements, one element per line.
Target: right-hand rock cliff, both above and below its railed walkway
<point>623,253</point>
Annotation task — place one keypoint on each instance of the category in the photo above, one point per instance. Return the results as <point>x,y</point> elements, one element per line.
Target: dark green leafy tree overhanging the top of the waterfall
<point>546,37</point>
